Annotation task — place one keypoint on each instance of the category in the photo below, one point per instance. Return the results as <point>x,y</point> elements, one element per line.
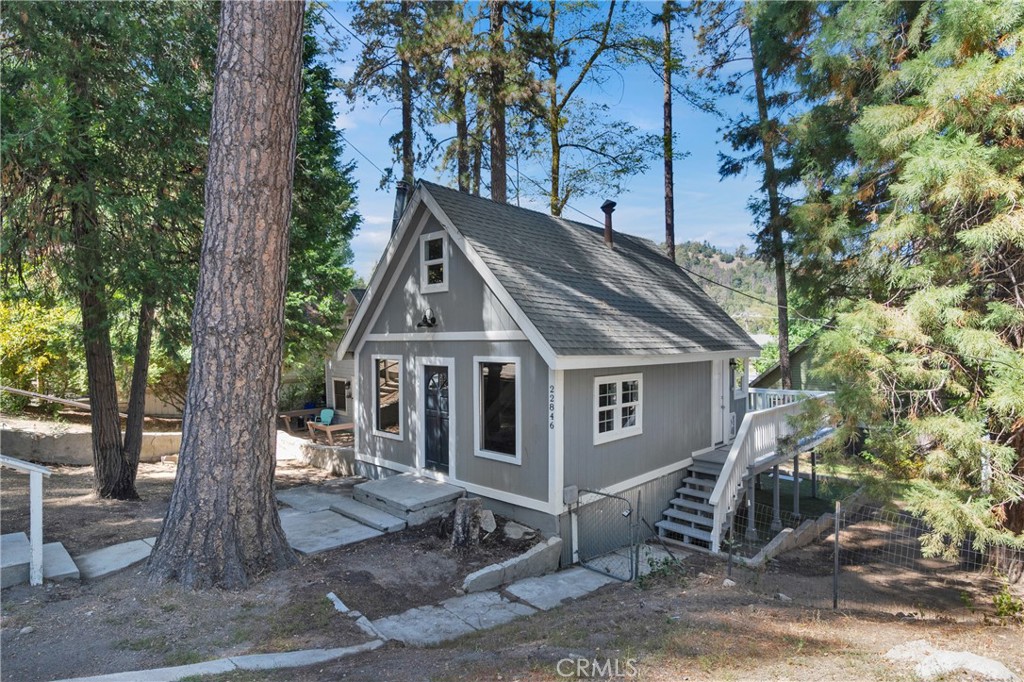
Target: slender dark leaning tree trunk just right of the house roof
<point>775,217</point>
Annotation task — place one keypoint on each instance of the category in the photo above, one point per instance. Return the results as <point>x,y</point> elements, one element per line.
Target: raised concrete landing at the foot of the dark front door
<point>415,499</point>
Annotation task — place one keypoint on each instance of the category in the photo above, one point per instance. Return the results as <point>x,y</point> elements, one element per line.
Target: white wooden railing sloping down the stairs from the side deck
<point>757,438</point>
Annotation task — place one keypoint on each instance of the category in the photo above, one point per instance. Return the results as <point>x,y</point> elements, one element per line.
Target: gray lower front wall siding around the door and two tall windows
<point>528,480</point>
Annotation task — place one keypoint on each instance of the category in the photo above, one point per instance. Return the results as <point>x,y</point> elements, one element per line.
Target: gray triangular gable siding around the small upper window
<point>468,306</point>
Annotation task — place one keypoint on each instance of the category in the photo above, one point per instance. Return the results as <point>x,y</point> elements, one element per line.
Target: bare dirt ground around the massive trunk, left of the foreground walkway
<point>132,623</point>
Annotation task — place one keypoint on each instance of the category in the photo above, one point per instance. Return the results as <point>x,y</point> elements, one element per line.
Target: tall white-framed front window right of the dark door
<point>498,419</point>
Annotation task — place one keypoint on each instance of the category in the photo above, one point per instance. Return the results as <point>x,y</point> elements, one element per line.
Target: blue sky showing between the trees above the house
<point>707,209</point>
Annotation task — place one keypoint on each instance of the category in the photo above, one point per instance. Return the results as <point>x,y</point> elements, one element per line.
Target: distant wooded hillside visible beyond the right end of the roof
<point>740,271</point>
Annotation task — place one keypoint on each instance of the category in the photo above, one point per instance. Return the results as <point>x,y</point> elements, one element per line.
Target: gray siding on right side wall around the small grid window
<point>676,422</point>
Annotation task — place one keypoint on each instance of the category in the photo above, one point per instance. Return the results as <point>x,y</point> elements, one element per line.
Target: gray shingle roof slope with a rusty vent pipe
<point>585,299</point>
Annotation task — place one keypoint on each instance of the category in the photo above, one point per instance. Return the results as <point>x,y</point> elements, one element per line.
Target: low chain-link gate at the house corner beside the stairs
<point>607,533</point>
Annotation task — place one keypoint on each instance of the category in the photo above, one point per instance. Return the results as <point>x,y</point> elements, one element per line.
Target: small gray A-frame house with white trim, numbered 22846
<point>536,362</point>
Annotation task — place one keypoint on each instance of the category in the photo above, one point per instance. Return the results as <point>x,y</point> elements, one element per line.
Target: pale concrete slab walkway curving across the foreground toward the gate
<point>423,626</point>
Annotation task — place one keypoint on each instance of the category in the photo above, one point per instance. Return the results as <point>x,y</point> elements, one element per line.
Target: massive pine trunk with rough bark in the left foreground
<point>223,527</point>
